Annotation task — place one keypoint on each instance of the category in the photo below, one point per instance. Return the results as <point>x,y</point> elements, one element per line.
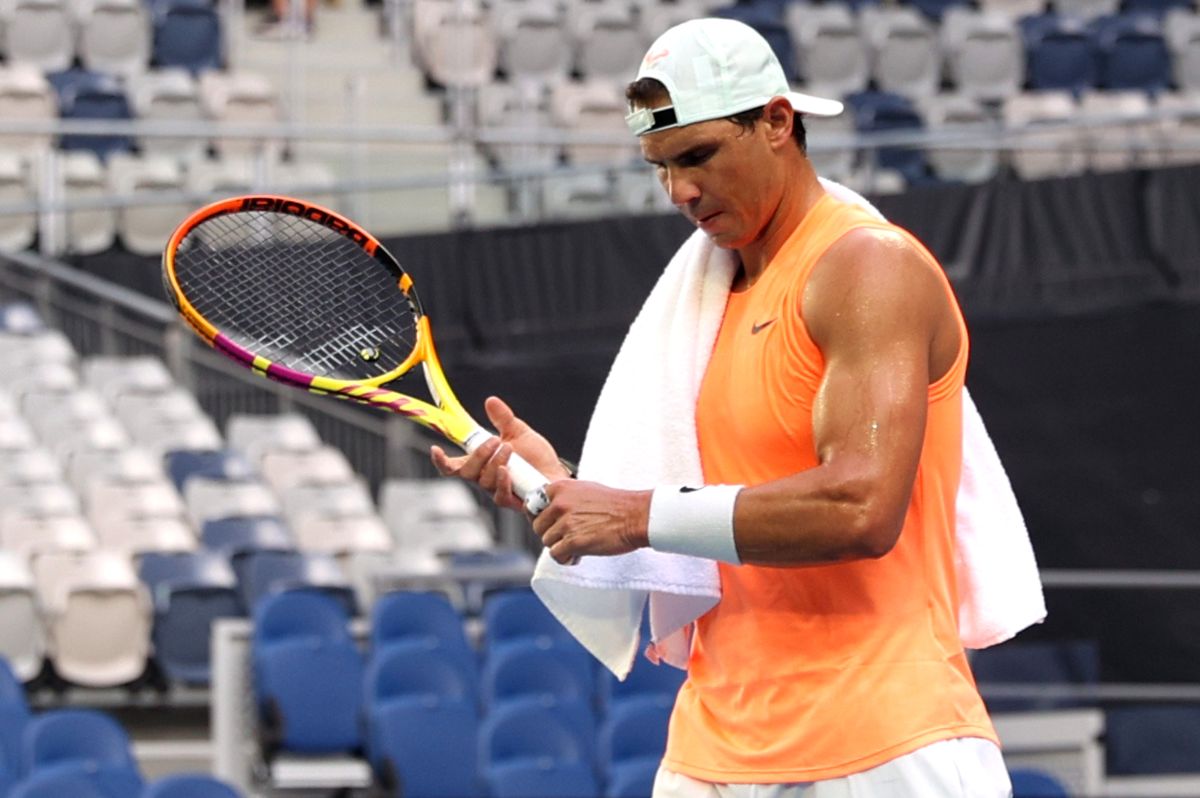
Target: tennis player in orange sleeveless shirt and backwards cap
<point>830,433</point>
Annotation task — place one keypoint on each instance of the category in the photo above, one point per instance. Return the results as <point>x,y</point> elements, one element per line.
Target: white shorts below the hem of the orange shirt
<point>968,767</point>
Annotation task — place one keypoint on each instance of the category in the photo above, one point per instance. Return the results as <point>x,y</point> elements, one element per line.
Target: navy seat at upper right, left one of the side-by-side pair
<point>1061,53</point>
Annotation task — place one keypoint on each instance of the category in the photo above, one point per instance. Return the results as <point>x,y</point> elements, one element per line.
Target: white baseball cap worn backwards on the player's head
<point>715,69</point>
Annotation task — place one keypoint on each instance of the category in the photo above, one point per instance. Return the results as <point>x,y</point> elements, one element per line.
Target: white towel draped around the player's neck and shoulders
<point>644,434</point>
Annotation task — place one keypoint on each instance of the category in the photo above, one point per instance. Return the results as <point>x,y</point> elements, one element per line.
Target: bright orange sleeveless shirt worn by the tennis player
<point>812,674</point>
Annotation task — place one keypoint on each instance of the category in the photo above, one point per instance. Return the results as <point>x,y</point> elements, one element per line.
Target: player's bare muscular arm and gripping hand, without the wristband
<point>885,328</point>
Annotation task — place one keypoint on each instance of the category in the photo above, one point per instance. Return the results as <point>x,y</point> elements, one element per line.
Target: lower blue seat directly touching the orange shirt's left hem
<point>633,739</point>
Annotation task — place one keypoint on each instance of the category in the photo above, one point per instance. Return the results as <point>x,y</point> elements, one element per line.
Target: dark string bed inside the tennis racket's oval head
<point>297,293</point>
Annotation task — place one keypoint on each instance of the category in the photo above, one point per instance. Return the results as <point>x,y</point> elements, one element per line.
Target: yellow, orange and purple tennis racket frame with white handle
<point>305,297</point>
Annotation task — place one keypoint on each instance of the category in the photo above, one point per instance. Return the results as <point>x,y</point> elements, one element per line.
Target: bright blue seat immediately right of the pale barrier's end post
<point>308,675</point>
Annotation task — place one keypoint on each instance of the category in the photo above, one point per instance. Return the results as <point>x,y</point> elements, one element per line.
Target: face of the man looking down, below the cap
<point>719,176</point>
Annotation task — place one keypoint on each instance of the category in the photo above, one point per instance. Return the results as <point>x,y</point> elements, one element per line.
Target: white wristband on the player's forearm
<point>695,521</point>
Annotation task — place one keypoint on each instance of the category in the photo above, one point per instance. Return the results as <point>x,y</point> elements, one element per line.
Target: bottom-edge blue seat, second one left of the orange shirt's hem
<point>530,752</point>
